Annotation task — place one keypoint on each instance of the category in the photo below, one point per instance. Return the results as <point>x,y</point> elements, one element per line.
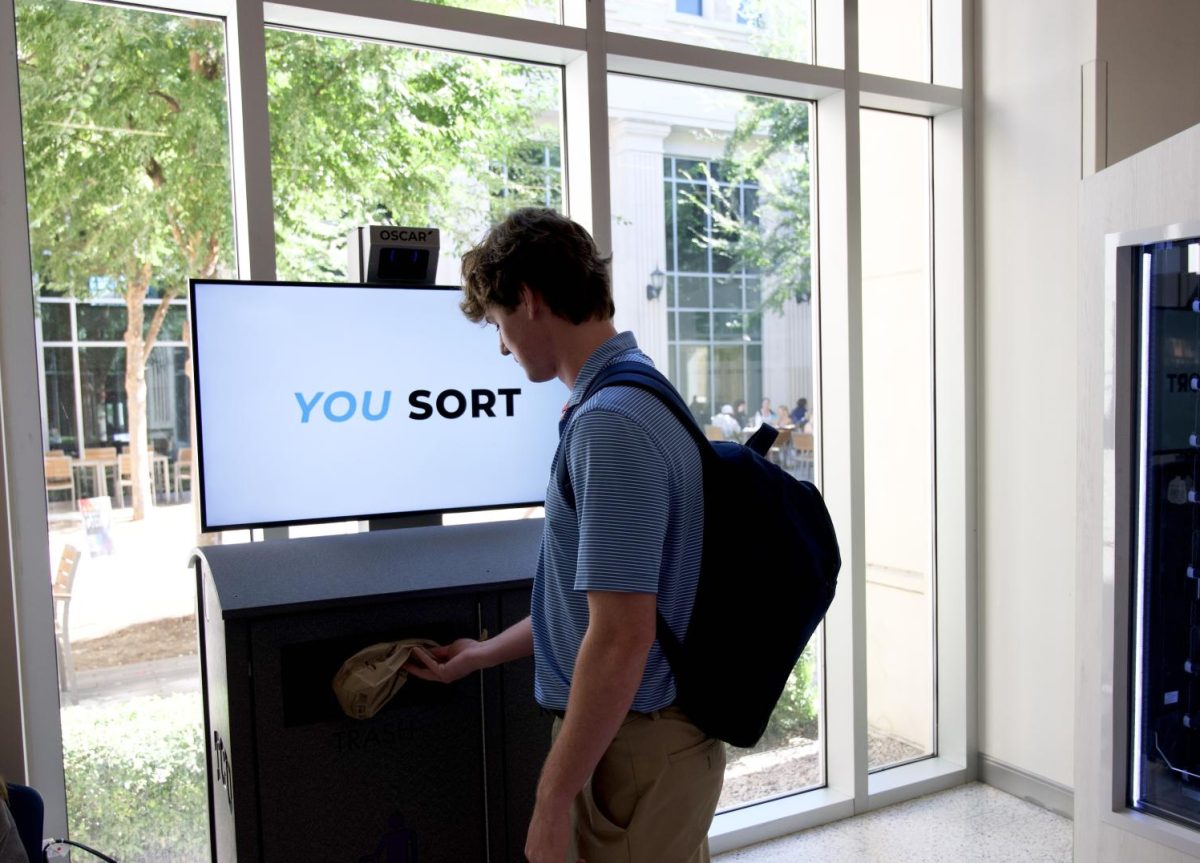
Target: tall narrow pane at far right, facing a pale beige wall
<point>898,436</point>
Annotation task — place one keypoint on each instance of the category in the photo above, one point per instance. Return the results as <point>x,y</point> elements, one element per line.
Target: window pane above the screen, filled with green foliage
<point>371,134</point>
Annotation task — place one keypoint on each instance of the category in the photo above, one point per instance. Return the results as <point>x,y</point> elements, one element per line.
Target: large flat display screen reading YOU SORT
<point>327,403</point>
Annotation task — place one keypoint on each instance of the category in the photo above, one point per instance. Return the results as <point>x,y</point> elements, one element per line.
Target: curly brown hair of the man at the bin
<point>545,251</point>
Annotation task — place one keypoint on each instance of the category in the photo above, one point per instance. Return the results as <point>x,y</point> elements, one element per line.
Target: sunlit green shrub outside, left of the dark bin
<point>136,778</point>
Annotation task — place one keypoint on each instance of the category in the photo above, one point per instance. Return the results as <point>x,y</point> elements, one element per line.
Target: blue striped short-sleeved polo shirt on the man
<point>638,526</point>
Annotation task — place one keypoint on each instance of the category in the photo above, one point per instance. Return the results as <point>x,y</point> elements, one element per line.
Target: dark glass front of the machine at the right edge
<point>1166,722</point>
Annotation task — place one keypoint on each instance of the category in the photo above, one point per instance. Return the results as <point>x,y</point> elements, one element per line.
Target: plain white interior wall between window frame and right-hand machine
<point>1029,59</point>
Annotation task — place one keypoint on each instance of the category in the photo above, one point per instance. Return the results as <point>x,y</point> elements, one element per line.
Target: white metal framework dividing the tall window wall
<point>31,738</point>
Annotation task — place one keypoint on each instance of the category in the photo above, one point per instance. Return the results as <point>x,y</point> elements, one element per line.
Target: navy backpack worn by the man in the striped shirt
<point>749,625</point>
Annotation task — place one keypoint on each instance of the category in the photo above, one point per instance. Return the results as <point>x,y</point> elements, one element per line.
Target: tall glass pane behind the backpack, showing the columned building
<point>724,220</point>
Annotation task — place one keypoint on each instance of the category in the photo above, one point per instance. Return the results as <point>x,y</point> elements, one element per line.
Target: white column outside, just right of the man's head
<point>639,232</point>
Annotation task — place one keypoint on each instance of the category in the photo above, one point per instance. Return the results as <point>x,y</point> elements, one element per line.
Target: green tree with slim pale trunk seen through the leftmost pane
<point>124,118</point>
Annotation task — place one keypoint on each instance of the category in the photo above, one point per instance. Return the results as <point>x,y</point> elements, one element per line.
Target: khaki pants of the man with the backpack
<point>652,798</point>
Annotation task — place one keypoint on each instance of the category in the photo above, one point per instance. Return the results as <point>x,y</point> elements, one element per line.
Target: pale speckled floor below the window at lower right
<point>973,823</point>
